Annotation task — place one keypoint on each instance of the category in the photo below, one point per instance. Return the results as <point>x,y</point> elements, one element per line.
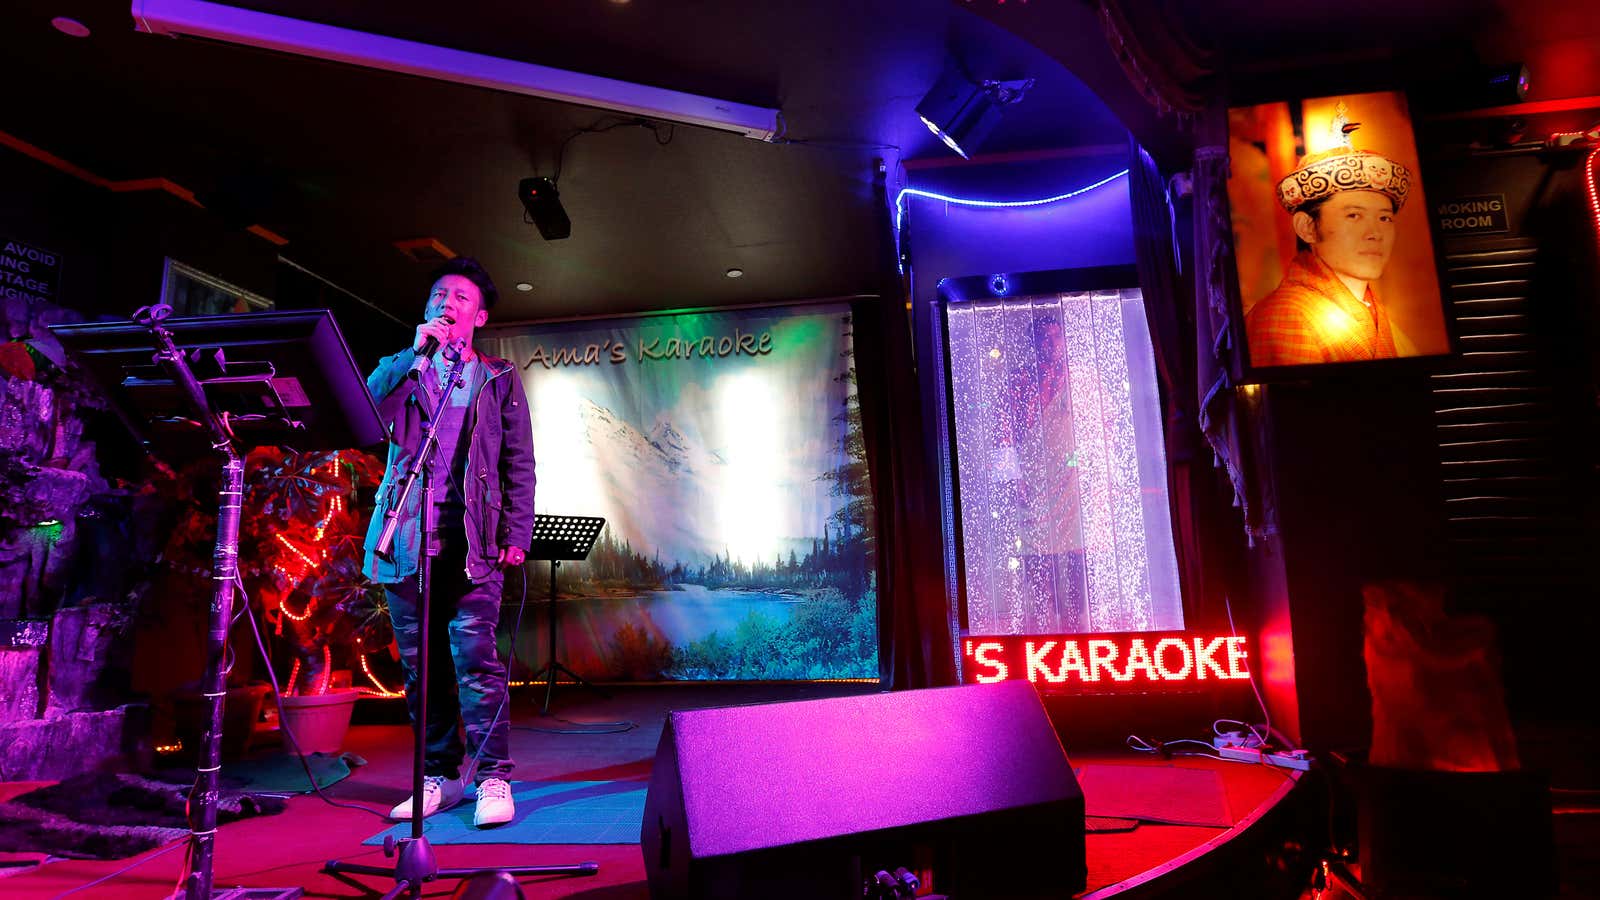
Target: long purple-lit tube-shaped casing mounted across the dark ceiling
<point>249,28</point>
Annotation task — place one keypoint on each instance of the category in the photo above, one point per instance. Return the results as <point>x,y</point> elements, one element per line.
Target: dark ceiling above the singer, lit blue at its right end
<point>346,161</point>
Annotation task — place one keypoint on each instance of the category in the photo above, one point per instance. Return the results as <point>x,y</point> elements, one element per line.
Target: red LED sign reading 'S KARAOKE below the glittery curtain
<point>1138,662</point>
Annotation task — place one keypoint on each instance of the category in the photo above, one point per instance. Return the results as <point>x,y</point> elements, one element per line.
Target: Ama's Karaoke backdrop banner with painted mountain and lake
<point>726,454</point>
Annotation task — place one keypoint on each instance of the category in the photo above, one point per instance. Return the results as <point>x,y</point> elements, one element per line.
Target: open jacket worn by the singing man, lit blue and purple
<point>498,480</point>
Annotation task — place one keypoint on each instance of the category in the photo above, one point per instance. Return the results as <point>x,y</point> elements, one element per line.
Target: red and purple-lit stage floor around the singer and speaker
<point>289,850</point>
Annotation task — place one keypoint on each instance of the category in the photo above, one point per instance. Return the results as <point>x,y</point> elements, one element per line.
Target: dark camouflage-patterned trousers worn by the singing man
<point>466,677</point>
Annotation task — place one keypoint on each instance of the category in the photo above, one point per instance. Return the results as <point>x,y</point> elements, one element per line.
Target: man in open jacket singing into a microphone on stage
<point>482,494</point>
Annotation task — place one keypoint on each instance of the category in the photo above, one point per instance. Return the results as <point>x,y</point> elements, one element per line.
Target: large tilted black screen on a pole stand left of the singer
<point>230,384</point>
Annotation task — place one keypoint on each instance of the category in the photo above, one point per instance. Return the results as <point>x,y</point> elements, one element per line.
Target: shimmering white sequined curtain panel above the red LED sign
<point>1063,480</point>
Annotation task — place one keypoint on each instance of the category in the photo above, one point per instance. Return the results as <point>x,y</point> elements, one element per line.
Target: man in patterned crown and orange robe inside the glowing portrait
<point>1343,204</point>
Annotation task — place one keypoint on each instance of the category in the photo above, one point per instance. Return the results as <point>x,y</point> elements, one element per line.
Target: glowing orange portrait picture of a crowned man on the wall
<point>1332,235</point>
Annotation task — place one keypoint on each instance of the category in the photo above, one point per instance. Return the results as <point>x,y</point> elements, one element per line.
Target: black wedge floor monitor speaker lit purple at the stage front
<point>969,785</point>
